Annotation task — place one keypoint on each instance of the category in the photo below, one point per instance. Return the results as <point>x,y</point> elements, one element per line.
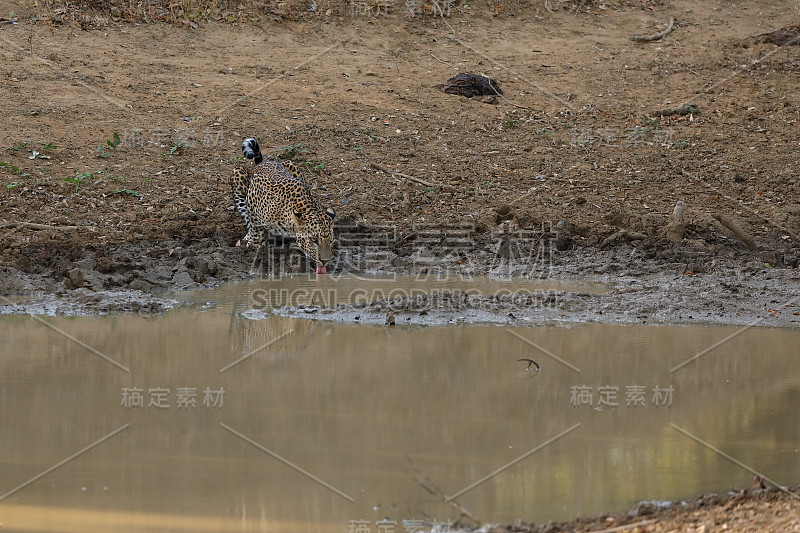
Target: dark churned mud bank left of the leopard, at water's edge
<point>133,277</point>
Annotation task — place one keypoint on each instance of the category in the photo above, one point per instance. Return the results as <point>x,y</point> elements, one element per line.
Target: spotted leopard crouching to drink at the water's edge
<point>272,197</point>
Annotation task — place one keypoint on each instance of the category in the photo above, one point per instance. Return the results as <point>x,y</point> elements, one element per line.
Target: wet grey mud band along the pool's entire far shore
<point>681,285</point>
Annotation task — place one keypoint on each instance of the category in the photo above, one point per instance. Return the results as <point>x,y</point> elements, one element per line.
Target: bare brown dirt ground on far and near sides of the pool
<point>117,139</point>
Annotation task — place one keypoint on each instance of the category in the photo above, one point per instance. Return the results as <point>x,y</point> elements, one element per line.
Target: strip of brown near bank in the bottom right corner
<point>743,511</point>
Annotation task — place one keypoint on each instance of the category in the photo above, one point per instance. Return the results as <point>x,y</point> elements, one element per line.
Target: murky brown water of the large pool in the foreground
<point>306,426</point>
